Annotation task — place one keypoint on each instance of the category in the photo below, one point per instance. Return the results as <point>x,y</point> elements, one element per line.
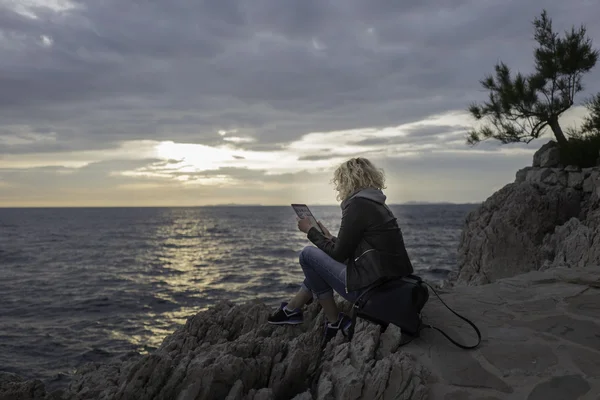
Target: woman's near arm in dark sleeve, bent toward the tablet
<point>348,238</point>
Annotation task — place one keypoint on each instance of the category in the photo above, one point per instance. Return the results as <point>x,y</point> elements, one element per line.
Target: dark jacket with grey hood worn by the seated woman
<point>367,224</point>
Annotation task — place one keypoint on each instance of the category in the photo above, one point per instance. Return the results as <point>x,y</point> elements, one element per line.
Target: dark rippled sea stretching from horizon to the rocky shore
<point>89,284</point>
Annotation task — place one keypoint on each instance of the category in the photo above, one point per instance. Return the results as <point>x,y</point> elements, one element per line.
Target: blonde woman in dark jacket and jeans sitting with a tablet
<point>368,248</point>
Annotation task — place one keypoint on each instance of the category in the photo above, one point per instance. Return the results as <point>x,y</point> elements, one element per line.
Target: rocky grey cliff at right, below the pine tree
<point>550,216</point>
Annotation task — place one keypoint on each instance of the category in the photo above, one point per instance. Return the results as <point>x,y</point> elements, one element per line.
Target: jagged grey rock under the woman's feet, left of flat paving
<point>230,352</point>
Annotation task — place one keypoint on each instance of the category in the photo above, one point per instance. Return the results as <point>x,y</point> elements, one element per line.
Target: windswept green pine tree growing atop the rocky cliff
<point>520,108</point>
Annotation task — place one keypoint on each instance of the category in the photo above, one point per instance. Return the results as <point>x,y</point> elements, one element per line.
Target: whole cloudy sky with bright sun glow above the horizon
<point>106,103</point>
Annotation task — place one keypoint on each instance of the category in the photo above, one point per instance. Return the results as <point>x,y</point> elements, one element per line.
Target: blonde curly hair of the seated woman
<point>356,174</point>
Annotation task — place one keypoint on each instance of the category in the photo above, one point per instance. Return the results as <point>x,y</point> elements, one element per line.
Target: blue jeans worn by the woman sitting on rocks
<point>324,275</point>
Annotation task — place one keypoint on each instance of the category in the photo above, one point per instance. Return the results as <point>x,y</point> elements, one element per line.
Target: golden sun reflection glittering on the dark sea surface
<point>194,261</point>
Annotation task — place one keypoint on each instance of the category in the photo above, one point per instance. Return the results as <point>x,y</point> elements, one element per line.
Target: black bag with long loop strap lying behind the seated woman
<point>400,301</point>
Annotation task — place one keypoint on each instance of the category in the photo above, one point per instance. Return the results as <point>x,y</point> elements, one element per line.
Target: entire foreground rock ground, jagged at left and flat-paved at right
<point>540,341</point>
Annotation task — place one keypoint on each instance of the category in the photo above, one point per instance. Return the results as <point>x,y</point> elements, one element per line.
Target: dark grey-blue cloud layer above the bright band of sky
<point>274,70</point>
